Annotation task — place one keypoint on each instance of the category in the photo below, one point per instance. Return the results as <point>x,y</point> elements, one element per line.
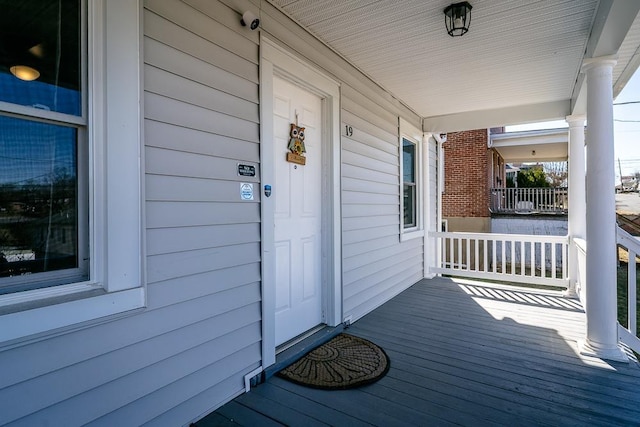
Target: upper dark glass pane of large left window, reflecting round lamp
<point>40,54</point>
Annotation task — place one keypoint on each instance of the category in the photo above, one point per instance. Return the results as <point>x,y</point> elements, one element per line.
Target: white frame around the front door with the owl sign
<point>275,61</point>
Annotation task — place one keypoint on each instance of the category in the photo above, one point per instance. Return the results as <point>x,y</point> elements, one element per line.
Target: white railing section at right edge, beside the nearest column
<point>629,334</point>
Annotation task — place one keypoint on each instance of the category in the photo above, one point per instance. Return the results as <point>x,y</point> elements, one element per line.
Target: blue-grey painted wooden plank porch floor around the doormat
<point>462,353</point>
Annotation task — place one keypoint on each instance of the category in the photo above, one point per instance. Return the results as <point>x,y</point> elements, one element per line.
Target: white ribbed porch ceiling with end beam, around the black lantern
<point>519,56</point>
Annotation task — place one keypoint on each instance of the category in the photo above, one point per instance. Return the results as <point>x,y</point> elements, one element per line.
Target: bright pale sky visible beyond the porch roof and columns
<point>626,127</point>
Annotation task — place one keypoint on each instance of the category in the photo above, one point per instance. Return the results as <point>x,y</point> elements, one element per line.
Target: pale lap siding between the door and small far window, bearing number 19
<point>376,266</point>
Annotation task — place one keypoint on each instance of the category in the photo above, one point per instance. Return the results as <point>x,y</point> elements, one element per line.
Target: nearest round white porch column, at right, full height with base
<point>601,304</point>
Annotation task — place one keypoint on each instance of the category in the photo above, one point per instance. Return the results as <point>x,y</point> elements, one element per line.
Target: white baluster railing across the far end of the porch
<point>541,260</point>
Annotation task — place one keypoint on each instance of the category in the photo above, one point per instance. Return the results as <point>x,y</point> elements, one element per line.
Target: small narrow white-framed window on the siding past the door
<point>411,181</point>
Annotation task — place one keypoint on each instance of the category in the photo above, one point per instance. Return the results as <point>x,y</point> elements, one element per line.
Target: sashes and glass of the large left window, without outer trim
<point>43,146</point>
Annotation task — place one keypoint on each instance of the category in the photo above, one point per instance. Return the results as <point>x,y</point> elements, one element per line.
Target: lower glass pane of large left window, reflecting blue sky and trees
<point>38,197</point>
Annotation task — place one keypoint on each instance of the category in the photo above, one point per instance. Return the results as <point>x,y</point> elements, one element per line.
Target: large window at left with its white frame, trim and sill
<point>65,149</point>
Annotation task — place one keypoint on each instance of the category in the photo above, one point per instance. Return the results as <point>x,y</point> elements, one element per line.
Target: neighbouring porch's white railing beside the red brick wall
<point>529,200</point>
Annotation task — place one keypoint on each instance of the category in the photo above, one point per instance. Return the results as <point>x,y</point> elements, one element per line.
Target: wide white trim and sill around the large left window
<point>115,117</point>
